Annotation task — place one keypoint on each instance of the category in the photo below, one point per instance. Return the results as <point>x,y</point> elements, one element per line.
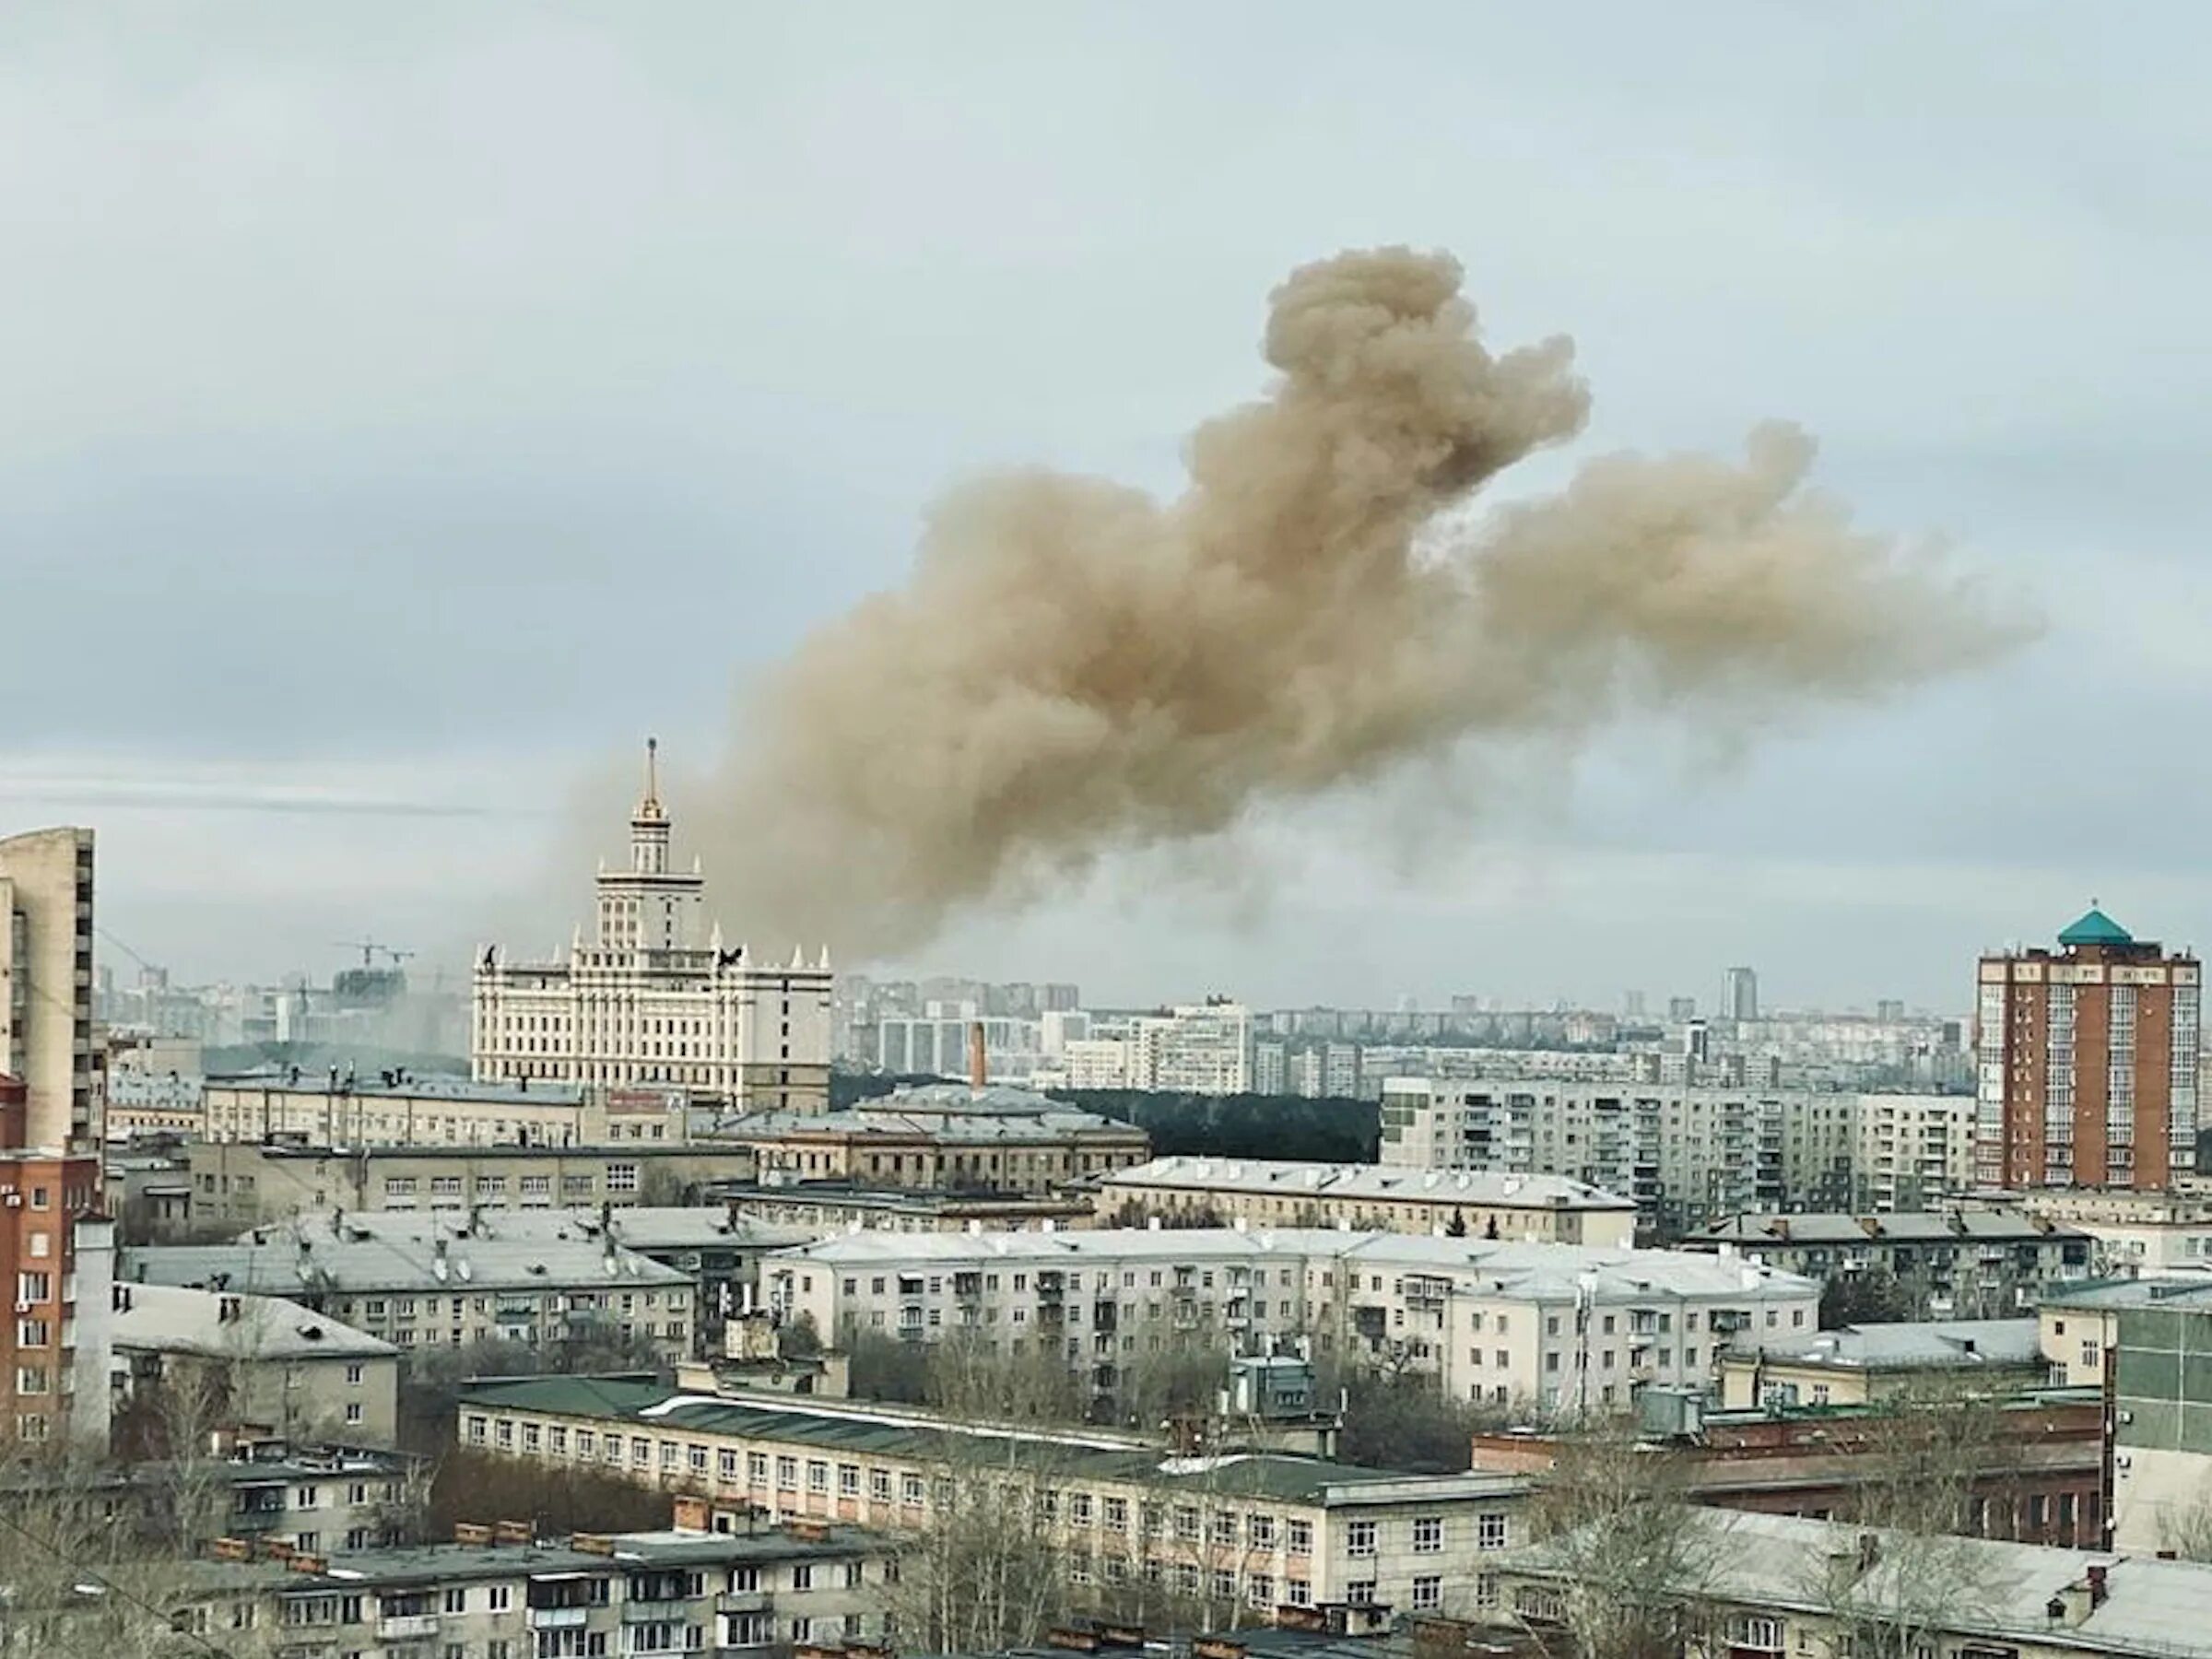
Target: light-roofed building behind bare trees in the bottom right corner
<point>1983,1600</point>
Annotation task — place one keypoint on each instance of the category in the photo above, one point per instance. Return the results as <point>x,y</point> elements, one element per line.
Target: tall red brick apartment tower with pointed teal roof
<point>2087,1063</point>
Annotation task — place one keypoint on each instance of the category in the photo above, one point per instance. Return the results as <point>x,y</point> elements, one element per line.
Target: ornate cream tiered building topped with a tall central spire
<point>649,1003</point>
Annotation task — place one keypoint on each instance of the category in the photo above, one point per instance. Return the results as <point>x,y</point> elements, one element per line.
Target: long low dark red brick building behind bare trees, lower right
<point>2038,1472</point>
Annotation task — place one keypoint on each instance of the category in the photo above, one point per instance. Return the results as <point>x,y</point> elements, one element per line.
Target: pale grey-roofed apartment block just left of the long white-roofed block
<point>430,1293</point>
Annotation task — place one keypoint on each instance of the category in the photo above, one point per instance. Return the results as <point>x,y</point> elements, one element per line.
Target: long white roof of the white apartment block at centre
<point>1477,1266</point>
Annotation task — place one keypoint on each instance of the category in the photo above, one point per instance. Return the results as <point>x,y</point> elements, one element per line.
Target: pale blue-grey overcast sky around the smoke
<point>410,406</point>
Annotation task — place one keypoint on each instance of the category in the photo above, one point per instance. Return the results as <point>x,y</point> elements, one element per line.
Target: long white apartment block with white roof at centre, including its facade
<point>1556,1328</point>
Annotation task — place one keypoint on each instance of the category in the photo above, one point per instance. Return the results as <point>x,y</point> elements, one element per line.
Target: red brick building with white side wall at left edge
<point>50,1207</point>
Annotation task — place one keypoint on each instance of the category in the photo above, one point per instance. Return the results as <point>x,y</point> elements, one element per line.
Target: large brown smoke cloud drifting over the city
<point>1078,669</point>
